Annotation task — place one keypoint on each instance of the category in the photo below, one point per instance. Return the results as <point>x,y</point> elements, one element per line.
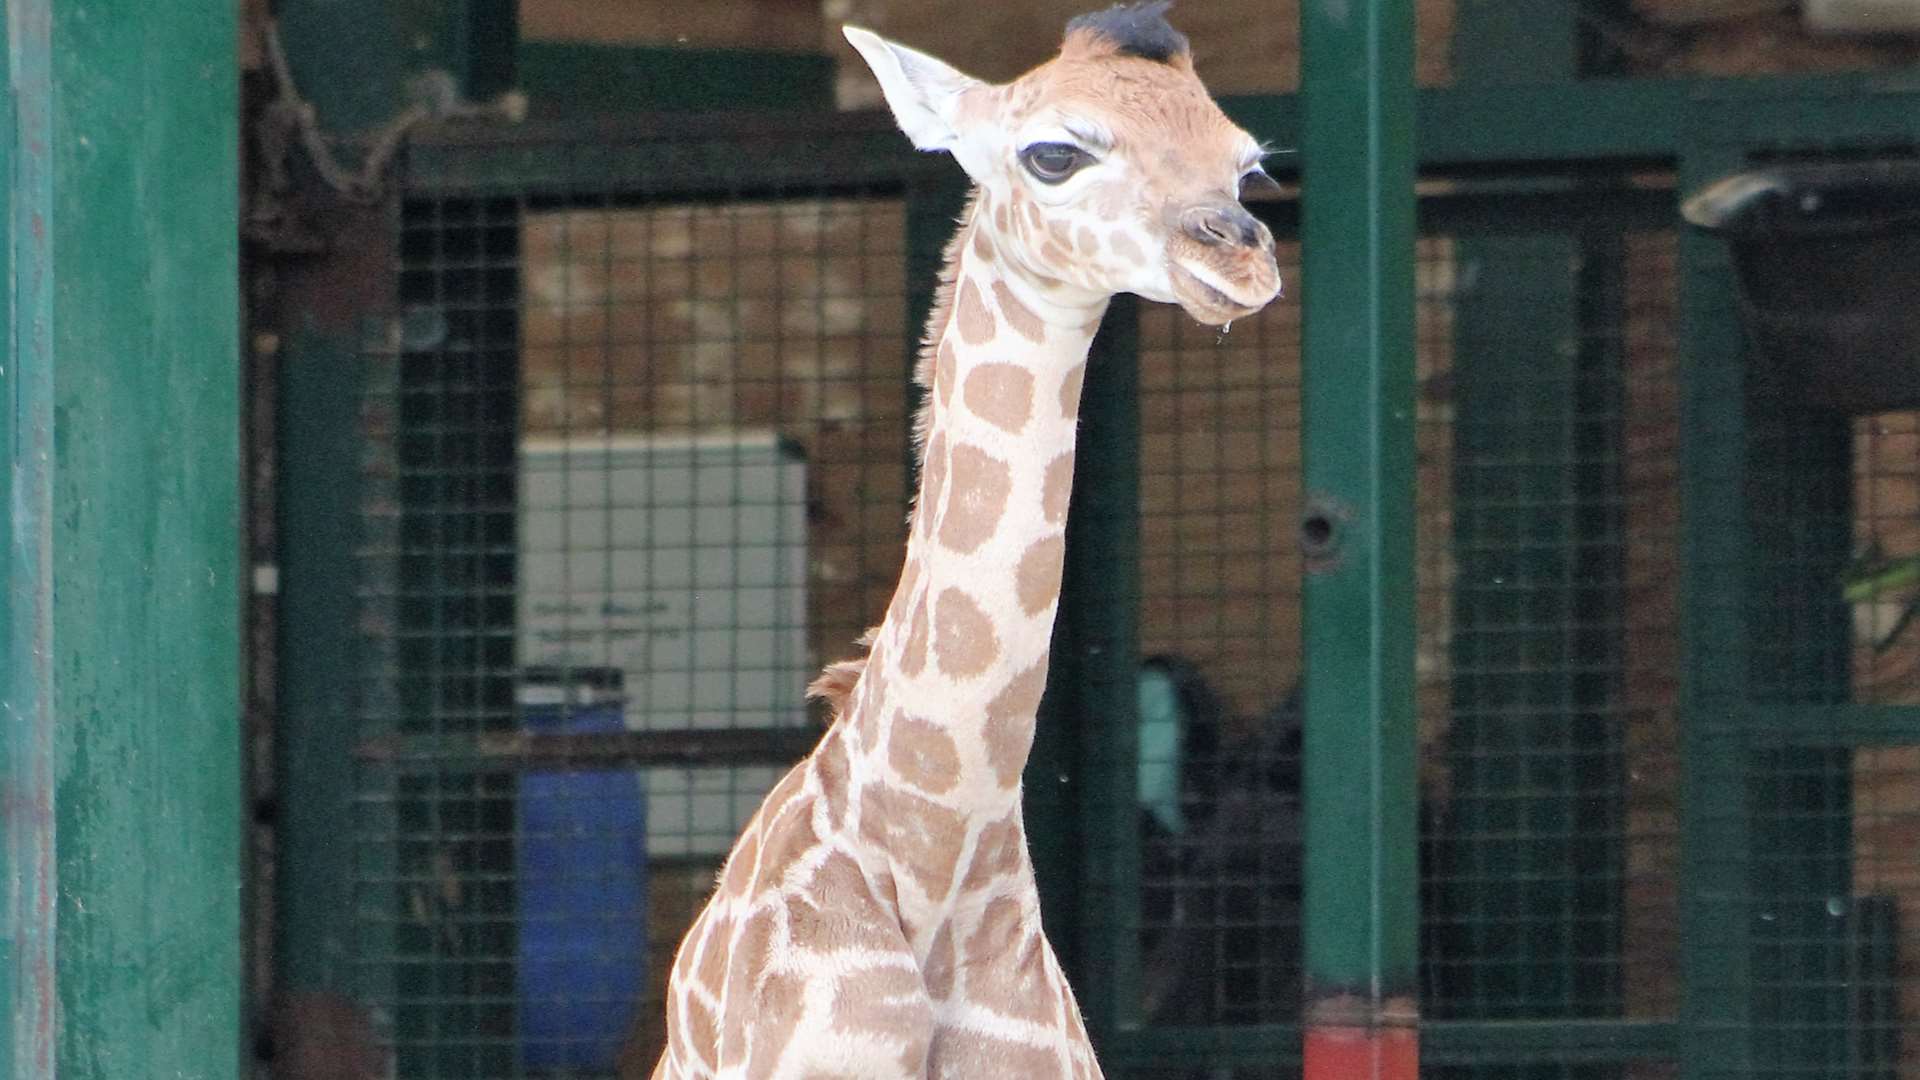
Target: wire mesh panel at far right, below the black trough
<point>1833,743</point>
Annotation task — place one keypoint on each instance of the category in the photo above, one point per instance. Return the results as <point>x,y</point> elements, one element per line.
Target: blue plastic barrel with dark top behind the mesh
<point>583,873</point>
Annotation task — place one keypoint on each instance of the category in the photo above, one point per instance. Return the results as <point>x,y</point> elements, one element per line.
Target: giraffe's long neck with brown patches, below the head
<point>946,710</point>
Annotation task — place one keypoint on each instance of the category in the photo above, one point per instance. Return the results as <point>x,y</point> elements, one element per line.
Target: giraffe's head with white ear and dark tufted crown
<point>1105,170</point>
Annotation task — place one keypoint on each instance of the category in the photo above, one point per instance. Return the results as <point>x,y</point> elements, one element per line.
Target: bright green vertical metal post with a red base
<point>1362,870</point>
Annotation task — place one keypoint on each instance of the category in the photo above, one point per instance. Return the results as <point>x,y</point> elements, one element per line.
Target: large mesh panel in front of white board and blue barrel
<point>638,468</point>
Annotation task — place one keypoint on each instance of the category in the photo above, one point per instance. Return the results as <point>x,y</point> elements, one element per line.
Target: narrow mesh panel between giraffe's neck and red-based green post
<point>1220,635</point>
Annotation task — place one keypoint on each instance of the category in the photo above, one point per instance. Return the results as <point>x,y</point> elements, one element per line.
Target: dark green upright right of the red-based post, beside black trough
<point>1716,814</point>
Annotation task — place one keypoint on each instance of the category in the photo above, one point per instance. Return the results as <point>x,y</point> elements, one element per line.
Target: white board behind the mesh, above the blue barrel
<point>683,562</point>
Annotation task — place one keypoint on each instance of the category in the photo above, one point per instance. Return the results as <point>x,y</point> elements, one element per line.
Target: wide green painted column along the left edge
<point>124,541</point>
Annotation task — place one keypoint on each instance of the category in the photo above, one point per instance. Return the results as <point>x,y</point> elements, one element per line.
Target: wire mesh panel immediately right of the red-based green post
<point>1552,860</point>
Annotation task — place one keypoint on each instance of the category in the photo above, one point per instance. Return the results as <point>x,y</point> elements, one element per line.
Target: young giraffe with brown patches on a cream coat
<point>878,916</point>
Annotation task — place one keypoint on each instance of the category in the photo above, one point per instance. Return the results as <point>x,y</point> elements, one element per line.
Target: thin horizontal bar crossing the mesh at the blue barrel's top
<point>521,750</point>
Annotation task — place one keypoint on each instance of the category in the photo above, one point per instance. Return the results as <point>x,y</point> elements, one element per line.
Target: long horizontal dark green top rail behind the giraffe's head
<point>1589,120</point>
